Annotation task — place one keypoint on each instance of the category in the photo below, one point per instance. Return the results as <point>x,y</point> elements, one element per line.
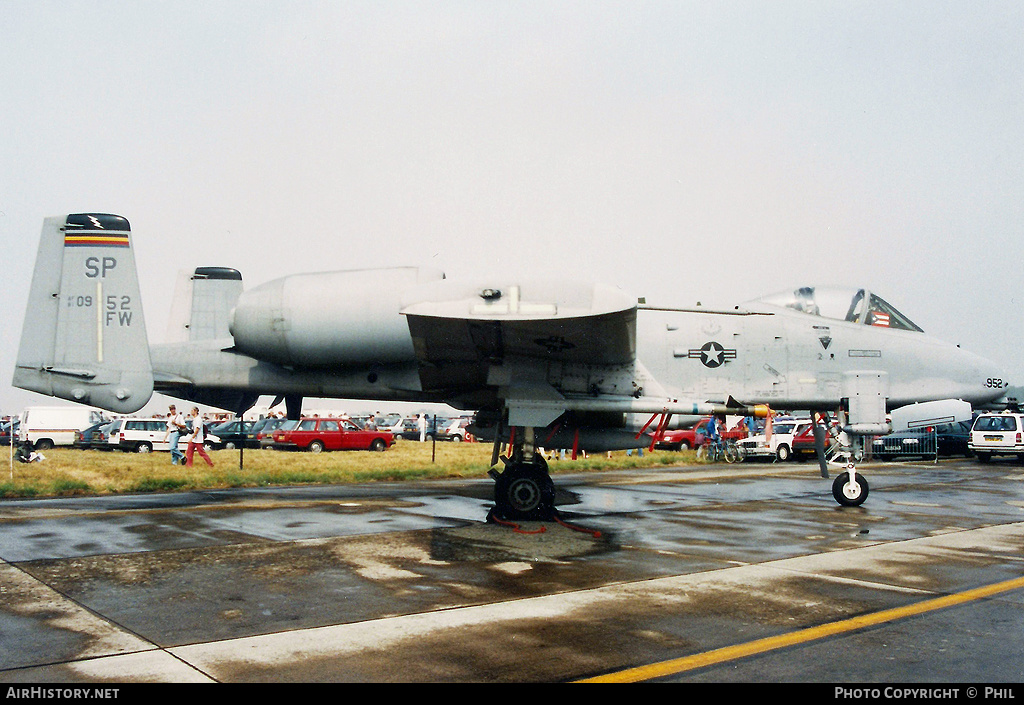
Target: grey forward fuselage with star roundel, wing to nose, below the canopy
<point>791,360</point>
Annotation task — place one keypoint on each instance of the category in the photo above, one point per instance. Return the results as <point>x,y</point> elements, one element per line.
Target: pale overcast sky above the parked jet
<point>708,151</point>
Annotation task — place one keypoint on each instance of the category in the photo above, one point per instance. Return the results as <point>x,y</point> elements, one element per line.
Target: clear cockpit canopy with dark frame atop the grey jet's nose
<point>854,306</point>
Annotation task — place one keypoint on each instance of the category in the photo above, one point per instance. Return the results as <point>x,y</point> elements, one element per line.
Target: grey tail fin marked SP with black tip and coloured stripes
<point>84,336</point>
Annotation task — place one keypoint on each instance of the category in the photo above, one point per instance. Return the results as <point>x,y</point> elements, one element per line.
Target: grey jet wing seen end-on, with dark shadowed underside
<point>547,348</point>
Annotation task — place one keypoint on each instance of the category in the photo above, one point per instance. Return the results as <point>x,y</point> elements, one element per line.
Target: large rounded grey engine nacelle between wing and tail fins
<point>330,319</point>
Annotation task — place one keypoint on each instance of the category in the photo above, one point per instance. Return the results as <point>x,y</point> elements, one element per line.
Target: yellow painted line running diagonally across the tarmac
<point>740,651</point>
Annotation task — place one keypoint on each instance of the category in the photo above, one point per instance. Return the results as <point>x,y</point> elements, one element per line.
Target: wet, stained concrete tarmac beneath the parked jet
<point>408,584</point>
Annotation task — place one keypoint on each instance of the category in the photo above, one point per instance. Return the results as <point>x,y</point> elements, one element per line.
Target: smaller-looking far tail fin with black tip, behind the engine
<point>203,305</point>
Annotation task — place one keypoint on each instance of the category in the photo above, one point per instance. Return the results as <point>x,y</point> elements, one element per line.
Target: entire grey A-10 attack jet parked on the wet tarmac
<point>554,364</point>
